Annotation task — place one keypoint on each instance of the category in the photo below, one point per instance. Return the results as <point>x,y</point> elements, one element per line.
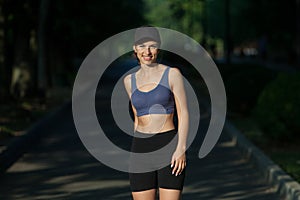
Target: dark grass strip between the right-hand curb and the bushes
<point>286,155</point>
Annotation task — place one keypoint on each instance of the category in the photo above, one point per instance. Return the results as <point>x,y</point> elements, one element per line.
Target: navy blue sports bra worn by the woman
<point>159,100</point>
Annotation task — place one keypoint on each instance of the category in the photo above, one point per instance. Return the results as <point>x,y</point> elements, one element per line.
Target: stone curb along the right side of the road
<point>285,185</point>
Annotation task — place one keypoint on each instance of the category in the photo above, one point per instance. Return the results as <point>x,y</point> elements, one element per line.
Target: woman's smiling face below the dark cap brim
<point>146,52</point>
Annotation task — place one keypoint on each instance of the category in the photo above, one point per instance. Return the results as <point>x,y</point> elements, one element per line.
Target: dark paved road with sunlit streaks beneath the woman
<point>59,168</point>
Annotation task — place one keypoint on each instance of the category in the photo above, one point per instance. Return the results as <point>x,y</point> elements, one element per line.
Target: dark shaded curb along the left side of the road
<point>20,145</point>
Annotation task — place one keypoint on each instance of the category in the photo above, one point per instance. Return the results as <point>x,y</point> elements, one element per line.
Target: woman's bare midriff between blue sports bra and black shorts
<point>155,123</point>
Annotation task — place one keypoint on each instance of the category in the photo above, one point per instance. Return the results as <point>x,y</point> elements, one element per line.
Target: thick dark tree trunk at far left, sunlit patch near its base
<point>19,27</point>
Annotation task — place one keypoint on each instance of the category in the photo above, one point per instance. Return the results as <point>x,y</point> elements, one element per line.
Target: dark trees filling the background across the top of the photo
<point>43,42</point>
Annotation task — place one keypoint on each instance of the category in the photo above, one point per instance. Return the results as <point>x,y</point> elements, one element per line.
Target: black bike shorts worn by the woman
<point>161,177</point>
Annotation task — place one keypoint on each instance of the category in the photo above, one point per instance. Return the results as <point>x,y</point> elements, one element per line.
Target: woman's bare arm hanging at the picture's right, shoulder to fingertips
<point>177,86</point>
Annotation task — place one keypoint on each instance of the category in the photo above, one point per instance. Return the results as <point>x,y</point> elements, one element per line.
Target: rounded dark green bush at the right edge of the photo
<point>278,108</point>
